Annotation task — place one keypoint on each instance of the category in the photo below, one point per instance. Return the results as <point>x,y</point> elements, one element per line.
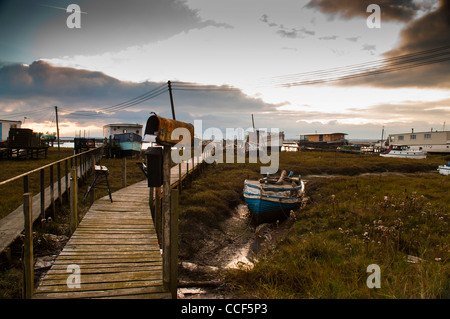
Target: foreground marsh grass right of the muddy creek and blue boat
<point>353,222</point>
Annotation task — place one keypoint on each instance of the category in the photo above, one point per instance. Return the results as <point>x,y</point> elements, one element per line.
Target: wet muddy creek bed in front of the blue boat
<point>237,243</point>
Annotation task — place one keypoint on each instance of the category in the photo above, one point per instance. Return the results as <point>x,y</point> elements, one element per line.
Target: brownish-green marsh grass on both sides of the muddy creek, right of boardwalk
<point>397,221</point>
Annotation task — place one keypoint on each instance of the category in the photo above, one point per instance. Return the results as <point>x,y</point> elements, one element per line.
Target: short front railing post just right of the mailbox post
<point>174,244</point>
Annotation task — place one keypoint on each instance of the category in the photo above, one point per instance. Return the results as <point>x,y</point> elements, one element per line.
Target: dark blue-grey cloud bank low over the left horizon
<point>82,94</point>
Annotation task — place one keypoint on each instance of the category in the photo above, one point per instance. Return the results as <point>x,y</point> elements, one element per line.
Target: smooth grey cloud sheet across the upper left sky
<point>107,26</point>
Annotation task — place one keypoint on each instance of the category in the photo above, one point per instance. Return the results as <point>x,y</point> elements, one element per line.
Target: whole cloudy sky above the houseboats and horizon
<point>126,48</point>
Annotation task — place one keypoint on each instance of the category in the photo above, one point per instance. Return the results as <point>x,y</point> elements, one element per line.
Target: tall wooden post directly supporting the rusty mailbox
<point>166,216</point>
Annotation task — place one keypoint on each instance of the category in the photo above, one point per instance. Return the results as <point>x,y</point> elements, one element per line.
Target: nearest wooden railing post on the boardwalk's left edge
<point>28,246</point>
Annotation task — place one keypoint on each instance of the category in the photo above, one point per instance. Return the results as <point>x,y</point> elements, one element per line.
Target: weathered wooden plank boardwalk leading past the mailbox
<point>116,249</point>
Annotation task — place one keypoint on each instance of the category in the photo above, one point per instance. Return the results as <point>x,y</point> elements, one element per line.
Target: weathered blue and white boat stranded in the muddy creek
<point>272,198</point>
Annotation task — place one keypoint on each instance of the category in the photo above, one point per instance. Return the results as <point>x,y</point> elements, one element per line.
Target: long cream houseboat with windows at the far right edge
<point>430,142</point>
